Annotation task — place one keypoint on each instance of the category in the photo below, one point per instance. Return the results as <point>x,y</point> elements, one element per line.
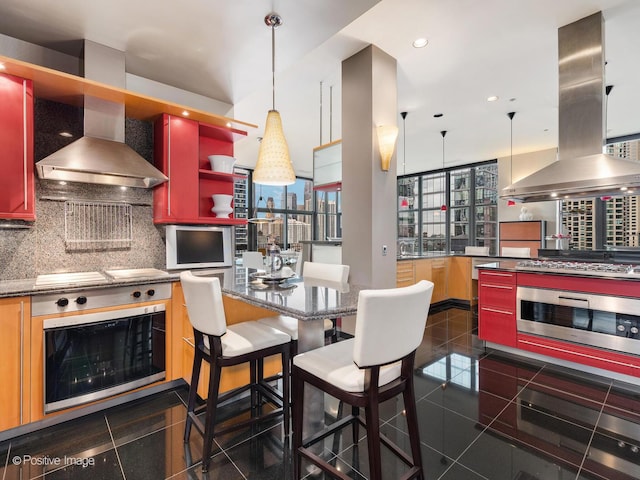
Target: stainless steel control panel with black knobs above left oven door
<point>98,298</point>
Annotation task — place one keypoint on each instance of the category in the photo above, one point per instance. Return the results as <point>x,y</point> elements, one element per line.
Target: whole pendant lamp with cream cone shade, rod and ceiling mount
<point>274,164</point>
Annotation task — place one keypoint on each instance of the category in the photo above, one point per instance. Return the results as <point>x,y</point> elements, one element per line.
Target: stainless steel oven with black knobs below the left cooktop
<point>93,355</point>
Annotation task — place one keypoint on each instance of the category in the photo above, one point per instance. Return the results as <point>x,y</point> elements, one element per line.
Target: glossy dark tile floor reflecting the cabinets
<point>483,415</point>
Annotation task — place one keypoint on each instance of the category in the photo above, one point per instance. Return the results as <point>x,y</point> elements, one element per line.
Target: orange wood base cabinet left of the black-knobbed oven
<point>14,361</point>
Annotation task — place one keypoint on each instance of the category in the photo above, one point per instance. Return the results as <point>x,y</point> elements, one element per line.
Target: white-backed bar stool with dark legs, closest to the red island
<point>374,366</point>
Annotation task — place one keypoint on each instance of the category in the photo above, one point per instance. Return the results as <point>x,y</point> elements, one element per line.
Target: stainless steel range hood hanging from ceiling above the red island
<point>581,170</point>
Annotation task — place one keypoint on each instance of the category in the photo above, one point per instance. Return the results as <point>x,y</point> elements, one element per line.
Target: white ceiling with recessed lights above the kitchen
<point>222,49</point>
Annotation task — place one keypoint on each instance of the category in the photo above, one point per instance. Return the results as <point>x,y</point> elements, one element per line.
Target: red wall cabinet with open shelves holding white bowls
<point>182,147</point>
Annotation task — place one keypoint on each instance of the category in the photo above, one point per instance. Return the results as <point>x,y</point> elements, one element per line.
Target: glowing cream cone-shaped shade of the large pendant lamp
<point>274,165</point>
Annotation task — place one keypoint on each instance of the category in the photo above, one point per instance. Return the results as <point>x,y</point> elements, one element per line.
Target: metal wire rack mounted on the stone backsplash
<point>97,225</point>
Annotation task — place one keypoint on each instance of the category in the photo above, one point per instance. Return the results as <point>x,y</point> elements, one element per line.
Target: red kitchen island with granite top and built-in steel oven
<point>583,314</point>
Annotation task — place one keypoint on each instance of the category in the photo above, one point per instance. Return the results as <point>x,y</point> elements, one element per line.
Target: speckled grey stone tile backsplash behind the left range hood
<point>40,248</point>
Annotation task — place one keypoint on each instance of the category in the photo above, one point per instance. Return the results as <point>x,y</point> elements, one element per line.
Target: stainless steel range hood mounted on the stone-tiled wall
<point>101,156</point>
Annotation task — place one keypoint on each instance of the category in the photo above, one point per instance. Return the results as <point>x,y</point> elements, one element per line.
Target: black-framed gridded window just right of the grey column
<point>443,212</point>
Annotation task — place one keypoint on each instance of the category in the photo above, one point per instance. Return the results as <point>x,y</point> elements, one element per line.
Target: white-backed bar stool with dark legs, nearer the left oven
<point>223,346</point>
